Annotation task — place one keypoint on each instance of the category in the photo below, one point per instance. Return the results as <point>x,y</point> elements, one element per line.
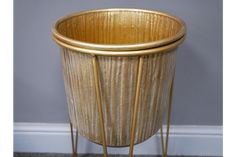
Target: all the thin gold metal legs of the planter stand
<point>134,117</point>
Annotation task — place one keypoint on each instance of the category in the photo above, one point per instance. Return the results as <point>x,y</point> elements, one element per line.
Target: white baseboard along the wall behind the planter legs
<point>54,137</point>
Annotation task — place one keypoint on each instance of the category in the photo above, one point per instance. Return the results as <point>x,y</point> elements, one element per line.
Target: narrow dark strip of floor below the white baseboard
<point>82,155</point>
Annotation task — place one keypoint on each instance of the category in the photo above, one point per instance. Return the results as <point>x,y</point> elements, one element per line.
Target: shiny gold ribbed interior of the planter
<point>119,27</point>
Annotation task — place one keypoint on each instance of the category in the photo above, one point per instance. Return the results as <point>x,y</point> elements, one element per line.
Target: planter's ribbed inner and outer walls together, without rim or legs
<point>118,75</point>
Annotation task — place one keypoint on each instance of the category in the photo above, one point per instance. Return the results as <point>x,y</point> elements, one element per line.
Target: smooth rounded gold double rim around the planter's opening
<point>111,49</point>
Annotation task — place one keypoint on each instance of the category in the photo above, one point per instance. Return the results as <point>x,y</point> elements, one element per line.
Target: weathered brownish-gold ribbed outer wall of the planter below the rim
<point>118,81</point>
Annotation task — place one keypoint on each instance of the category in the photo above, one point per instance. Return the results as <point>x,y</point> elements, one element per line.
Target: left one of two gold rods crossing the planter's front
<point>99,101</point>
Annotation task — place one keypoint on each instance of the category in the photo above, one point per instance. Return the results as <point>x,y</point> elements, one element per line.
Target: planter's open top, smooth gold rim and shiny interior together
<point>118,30</point>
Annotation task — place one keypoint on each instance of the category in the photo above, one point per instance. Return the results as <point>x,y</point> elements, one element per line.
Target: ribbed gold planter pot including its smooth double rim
<point>119,67</point>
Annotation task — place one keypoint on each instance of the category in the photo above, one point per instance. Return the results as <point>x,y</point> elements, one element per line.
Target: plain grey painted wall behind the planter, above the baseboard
<point>38,83</point>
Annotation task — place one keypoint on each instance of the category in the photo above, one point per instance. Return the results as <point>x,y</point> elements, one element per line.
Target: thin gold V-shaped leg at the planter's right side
<point>165,145</point>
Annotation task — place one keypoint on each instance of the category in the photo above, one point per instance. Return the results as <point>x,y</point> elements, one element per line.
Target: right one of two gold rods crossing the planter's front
<point>136,102</point>
